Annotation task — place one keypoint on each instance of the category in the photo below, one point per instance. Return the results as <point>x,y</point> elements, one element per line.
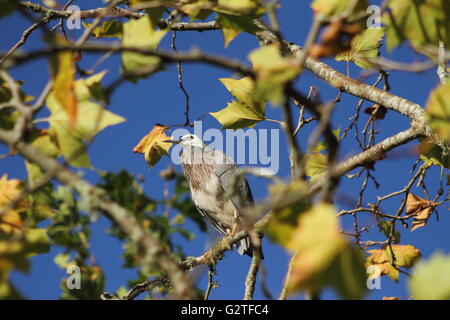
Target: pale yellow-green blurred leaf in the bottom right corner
<point>431,280</point>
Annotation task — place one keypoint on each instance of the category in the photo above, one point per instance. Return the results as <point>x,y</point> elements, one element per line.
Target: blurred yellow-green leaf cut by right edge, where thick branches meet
<point>438,111</point>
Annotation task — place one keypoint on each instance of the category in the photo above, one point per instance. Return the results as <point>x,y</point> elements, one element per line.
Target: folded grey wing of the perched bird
<point>227,172</point>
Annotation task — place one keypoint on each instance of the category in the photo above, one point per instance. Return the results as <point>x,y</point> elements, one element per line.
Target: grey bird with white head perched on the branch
<point>218,191</point>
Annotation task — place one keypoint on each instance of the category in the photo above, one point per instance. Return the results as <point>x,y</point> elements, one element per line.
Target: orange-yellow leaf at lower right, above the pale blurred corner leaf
<point>405,256</point>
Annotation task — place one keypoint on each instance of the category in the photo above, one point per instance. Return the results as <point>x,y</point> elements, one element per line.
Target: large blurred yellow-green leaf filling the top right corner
<point>422,23</point>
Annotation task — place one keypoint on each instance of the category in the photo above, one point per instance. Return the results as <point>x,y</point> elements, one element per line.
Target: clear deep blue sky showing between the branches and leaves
<point>158,100</point>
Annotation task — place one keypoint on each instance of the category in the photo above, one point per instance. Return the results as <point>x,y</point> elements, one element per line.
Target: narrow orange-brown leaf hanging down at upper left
<point>64,84</point>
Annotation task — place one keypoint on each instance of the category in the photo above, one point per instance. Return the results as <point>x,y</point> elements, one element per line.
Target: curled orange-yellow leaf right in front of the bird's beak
<point>153,146</point>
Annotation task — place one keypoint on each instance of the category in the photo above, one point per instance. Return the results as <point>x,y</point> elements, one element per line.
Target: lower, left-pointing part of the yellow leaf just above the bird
<point>237,115</point>
